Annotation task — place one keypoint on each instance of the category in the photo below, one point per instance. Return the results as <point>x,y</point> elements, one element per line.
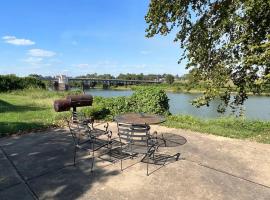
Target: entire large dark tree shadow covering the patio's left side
<point>45,163</point>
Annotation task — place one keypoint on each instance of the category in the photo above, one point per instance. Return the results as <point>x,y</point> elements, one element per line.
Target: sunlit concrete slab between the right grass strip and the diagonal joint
<point>245,159</point>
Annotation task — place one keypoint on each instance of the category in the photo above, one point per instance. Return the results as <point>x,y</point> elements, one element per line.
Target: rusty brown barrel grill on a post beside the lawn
<point>73,101</point>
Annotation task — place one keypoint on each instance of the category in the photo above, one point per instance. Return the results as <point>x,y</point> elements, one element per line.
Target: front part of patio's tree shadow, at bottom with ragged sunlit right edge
<point>70,182</point>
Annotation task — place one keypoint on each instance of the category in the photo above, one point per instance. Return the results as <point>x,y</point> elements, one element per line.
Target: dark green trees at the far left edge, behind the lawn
<point>12,82</point>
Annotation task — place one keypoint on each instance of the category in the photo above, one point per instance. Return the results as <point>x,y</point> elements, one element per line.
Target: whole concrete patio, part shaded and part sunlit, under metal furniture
<point>39,166</point>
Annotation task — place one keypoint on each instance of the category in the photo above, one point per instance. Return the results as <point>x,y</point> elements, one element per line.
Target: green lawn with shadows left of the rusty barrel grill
<point>26,110</point>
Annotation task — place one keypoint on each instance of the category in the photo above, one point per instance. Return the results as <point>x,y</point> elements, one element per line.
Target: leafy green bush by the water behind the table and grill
<point>147,100</point>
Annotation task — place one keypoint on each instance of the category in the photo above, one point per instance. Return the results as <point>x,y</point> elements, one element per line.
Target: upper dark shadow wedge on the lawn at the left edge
<point>8,107</point>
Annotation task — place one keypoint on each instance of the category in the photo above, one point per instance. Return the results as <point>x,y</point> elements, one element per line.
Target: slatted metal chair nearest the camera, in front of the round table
<point>136,139</point>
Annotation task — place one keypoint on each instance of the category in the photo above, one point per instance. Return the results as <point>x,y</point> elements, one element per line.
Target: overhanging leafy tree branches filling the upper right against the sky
<point>225,41</point>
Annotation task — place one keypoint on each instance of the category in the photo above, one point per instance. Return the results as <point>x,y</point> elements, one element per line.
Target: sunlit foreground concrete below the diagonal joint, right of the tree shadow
<point>181,180</point>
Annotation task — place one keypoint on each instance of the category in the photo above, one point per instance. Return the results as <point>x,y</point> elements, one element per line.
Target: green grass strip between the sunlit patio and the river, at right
<point>258,131</point>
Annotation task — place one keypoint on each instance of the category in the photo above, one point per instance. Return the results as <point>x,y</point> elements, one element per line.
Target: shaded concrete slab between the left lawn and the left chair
<point>37,154</point>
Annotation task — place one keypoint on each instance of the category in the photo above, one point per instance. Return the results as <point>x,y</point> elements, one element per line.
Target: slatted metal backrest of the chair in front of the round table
<point>133,133</point>
